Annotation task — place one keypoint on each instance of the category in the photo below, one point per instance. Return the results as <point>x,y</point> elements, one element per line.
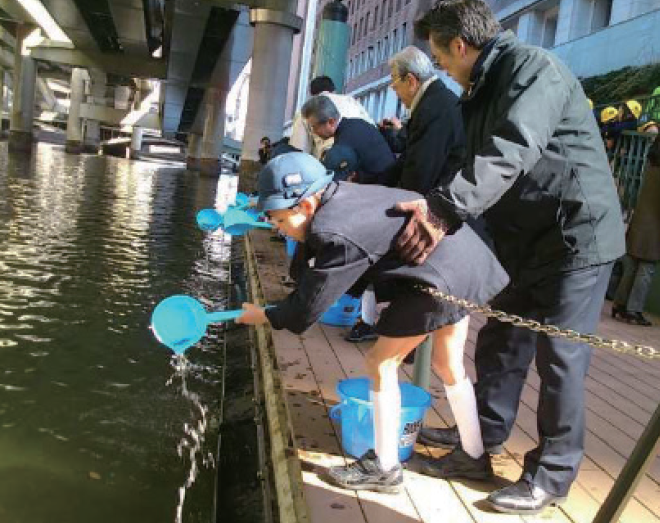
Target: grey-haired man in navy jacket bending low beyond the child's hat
<point>373,153</point>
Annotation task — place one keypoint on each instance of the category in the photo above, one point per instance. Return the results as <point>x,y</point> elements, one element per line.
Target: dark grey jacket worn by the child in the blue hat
<point>351,241</point>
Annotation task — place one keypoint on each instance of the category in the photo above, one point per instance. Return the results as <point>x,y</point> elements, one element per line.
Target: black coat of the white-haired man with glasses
<point>434,145</point>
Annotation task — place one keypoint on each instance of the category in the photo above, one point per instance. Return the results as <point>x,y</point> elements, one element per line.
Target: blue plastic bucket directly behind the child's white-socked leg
<point>355,413</point>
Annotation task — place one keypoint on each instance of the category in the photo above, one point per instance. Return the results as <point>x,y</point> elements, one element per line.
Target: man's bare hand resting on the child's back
<point>422,233</point>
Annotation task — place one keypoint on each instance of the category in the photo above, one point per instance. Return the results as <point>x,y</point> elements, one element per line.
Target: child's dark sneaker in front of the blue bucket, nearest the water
<point>367,474</point>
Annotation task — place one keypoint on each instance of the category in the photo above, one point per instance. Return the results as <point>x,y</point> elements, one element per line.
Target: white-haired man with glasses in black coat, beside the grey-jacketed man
<point>434,134</point>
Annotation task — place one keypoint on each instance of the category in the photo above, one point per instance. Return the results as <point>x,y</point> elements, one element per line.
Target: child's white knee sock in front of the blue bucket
<point>387,418</point>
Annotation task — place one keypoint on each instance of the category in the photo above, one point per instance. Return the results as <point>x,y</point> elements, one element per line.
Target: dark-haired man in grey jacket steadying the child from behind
<point>537,171</point>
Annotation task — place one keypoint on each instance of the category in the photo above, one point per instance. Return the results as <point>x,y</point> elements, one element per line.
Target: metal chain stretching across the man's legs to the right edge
<point>644,351</point>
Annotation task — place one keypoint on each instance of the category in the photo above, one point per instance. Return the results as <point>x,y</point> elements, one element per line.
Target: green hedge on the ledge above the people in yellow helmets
<point>622,84</point>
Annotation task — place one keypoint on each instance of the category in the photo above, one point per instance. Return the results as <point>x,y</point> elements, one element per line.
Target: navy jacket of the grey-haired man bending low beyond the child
<point>373,153</point>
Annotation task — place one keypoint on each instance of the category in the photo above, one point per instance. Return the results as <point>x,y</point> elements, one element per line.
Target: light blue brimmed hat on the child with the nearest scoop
<point>289,178</point>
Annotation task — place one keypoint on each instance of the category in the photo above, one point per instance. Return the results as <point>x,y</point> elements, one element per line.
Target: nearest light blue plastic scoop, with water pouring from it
<point>180,321</point>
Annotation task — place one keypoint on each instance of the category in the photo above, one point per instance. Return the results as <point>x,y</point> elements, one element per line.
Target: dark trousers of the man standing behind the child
<point>570,300</point>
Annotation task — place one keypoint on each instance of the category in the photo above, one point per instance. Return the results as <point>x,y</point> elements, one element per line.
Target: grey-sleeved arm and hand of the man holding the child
<point>527,116</point>
